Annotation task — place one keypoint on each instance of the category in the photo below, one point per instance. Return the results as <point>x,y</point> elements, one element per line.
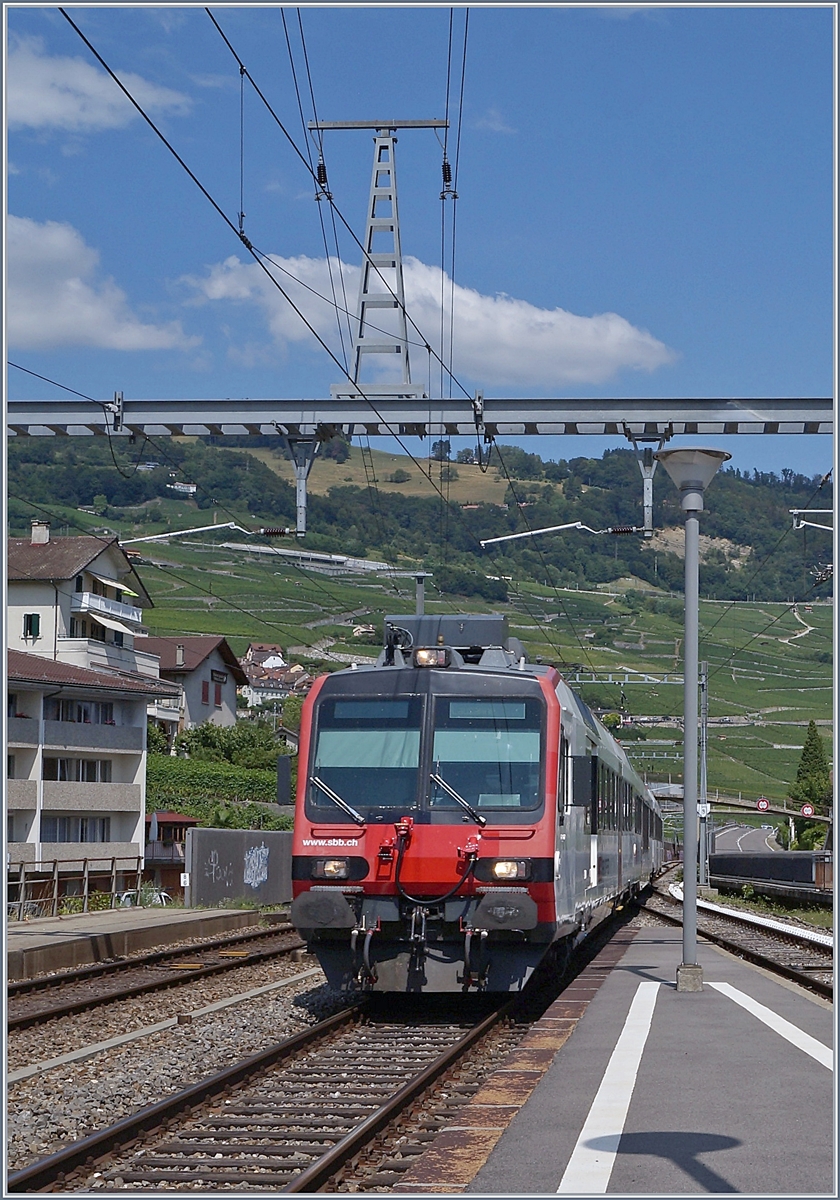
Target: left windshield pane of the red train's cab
<point>368,753</point>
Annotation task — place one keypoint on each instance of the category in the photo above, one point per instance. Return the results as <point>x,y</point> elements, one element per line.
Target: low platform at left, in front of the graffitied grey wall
<point>50,944</point>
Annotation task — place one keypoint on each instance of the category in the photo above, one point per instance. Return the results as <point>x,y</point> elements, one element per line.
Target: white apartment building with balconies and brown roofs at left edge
<point>79,689</point>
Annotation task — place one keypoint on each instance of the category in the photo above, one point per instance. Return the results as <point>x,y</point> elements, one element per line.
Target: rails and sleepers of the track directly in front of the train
<point>285,1120</point>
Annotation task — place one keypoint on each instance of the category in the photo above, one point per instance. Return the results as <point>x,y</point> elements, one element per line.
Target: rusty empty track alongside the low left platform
<point>45,999</point>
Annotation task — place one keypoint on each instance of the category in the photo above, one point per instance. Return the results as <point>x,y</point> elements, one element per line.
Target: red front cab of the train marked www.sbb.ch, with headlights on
<point>427,829</point>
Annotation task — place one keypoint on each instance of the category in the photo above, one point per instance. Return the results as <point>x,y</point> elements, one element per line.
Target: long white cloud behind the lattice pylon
<point>500,341</point>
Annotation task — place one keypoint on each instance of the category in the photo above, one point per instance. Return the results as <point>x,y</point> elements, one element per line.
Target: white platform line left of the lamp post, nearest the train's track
<point>590,1168</point>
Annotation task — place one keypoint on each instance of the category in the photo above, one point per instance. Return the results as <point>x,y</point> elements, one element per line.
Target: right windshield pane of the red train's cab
<point>488,752</point>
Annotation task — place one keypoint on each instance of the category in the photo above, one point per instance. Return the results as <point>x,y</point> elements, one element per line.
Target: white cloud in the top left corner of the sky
<point>73,94</point>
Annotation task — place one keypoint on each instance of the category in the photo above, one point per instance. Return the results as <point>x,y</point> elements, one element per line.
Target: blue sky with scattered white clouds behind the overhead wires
<point>645,201</point>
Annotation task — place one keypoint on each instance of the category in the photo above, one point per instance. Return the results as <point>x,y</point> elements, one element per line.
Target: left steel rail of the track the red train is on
<point>50,1171</point>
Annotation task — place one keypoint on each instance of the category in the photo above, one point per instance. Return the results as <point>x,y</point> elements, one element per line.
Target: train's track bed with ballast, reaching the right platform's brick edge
<point>349,1103</point>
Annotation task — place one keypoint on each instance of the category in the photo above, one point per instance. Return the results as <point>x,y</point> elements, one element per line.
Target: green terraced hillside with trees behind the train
<point>592,607</point>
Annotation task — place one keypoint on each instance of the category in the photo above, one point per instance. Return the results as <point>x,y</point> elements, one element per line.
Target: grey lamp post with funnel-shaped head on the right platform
<point>692,472</point>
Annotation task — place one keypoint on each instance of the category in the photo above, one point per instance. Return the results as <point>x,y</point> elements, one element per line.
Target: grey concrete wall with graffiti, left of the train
<point>238,865</point>
